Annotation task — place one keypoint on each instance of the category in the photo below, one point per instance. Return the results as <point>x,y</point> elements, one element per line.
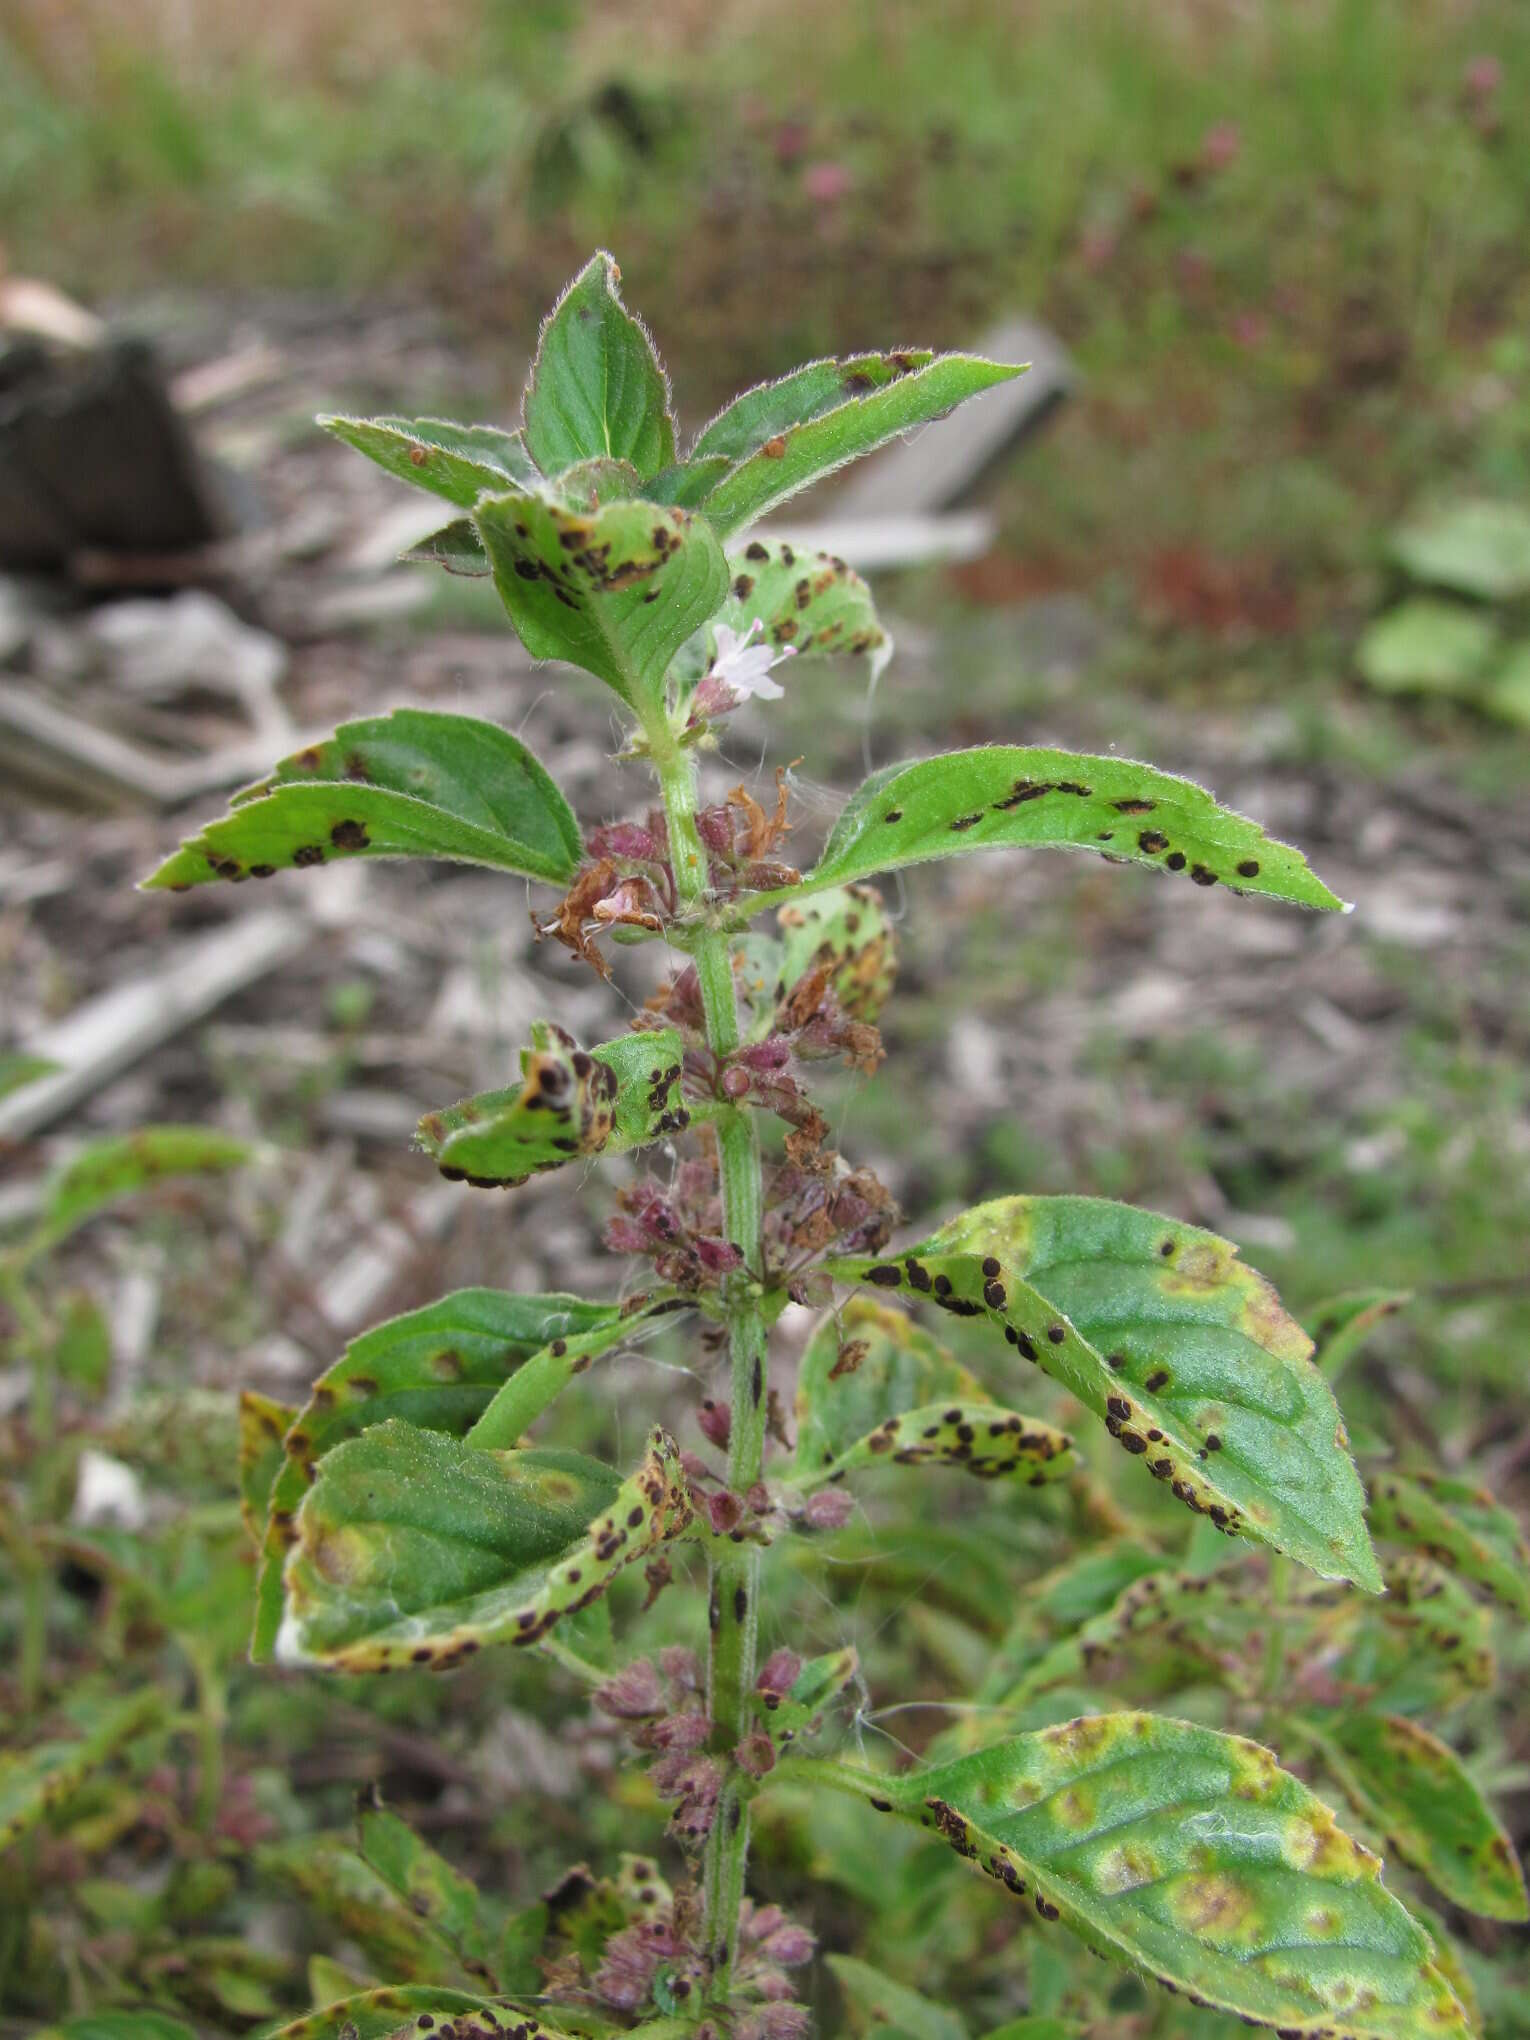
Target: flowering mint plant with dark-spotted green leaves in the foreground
<point>415,1509</point>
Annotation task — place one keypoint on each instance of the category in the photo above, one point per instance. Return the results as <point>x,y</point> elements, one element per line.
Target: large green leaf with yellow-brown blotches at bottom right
<point>1194,1859</point>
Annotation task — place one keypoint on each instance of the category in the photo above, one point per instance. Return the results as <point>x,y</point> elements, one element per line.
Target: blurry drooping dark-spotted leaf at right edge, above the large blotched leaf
<point>1417,1792</point>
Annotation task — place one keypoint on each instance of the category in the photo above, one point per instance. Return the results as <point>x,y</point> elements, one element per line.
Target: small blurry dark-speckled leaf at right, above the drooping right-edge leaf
<point>1421,1649</point>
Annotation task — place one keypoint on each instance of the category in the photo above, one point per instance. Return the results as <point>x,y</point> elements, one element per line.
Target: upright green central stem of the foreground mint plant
<point>733,1570</point>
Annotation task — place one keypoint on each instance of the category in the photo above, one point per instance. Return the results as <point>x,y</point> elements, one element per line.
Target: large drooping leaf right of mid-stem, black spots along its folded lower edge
<point>1184,1354</point>
